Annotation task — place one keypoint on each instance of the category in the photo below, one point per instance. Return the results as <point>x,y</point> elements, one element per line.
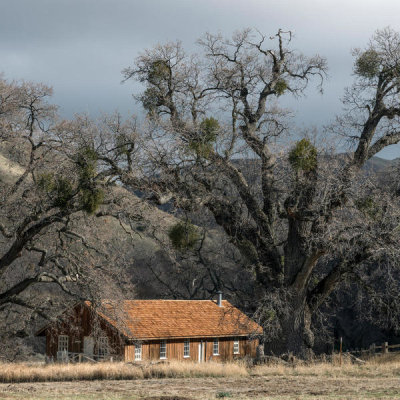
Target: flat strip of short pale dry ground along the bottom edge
<point>242,388</point>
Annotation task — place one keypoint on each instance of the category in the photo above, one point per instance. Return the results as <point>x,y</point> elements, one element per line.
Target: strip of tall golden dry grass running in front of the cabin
<point>383,366</point>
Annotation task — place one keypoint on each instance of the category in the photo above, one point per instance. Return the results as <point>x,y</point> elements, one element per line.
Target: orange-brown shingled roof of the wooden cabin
<point>167,319</point>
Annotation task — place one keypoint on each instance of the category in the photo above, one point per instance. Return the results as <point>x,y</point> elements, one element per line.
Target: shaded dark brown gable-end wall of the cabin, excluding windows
<point>77,324</point>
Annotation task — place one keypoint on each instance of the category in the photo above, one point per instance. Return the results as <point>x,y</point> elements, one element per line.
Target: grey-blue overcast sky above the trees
<point>79,47</point>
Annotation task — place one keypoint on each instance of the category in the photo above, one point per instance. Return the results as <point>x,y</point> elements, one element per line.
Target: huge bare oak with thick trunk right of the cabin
<point>304,205</point>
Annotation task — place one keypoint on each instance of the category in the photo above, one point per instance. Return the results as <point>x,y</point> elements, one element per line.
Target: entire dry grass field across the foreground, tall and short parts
<point>376,379</point>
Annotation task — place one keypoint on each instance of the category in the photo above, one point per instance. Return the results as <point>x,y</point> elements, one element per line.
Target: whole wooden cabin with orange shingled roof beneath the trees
<point>144,330</point>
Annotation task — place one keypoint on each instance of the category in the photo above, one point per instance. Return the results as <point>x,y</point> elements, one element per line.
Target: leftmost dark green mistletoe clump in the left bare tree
<point>59,189</point>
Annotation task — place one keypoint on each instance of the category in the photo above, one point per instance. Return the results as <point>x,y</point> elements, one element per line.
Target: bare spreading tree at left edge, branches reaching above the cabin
<point>52,191</point>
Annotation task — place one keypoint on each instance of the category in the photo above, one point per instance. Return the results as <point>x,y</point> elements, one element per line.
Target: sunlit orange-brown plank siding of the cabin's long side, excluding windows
<point>151,350</point>
